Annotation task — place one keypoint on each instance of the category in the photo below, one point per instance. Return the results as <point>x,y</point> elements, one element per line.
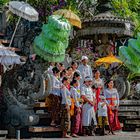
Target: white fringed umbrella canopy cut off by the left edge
<point>8,57</point>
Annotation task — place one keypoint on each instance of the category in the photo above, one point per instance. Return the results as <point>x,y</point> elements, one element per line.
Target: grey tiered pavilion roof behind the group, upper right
<point>106,23</point>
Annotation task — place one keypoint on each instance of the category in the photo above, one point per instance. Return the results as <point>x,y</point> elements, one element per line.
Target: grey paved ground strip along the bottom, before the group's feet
<point>118,136</point>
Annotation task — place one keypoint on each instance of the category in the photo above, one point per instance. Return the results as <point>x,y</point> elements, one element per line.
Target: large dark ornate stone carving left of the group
<point>22,87</point>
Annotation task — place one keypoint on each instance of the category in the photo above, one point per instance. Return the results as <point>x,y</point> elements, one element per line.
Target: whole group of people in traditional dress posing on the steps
<point>79,101</point>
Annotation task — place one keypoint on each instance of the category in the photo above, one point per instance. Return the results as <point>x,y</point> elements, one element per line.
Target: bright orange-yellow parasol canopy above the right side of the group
<point>108,60</point>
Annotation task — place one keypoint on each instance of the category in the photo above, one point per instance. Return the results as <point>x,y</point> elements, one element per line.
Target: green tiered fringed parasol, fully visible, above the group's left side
<point>53,40</point>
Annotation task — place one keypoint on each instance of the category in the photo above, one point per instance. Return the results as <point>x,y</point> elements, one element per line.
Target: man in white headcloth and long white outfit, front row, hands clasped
<point>88,112</point>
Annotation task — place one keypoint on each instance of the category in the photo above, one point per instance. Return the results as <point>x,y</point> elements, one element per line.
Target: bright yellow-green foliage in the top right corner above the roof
<point>128,9</point>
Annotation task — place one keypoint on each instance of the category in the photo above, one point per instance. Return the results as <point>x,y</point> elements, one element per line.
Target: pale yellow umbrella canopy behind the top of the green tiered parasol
<point>68,14</point>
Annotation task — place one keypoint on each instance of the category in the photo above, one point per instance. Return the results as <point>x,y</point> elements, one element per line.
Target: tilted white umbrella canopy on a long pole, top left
<point>23,10</point>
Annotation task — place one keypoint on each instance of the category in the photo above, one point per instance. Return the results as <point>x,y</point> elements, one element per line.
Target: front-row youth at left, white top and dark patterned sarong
<point>65,108</point>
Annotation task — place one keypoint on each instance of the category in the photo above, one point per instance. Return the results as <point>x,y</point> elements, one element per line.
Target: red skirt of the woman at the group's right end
<point>113,119</point>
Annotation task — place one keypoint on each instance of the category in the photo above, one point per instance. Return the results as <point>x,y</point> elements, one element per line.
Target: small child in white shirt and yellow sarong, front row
<point>102,115</point>
